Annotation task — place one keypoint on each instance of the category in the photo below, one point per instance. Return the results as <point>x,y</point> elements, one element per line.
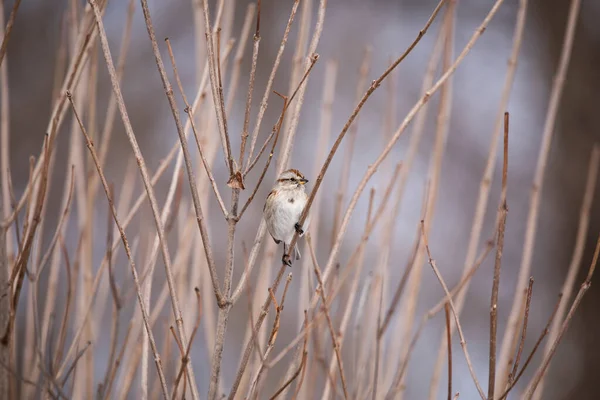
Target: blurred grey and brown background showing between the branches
<point>385,27</point>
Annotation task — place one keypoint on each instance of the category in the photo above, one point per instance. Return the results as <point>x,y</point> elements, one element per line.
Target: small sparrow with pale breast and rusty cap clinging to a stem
<point>283,208</point>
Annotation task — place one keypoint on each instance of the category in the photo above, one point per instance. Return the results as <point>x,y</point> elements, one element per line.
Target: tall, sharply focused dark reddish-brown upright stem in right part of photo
<point>502,211</point>
